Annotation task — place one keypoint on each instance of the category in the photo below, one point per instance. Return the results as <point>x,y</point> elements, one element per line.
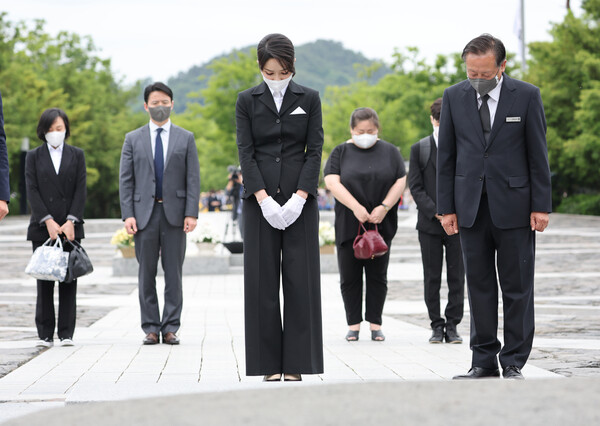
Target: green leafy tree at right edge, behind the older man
<point>567,70</point>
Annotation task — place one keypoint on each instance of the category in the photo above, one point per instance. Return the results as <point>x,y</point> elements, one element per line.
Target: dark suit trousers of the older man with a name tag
<point>513,250</point>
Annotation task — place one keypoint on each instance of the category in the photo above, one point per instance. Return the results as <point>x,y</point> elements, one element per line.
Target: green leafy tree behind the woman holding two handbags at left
<point>39,71</point>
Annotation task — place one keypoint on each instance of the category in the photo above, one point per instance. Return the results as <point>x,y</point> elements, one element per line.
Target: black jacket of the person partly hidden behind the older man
<point>422,188</point>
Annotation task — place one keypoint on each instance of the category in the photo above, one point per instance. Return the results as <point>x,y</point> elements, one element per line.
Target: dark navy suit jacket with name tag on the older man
<point>514,164</point>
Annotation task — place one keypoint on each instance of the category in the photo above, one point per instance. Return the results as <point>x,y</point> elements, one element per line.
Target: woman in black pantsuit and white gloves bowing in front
<point>280,139</point>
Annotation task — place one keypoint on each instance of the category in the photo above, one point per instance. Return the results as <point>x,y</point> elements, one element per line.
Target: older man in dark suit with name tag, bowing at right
<point>494,186</point>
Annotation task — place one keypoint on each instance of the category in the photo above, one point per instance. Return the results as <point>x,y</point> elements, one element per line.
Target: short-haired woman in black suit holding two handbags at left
<point>56,189</point>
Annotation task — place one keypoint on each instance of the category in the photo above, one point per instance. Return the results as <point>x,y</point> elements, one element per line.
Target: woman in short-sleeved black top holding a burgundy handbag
<point>366,175</point>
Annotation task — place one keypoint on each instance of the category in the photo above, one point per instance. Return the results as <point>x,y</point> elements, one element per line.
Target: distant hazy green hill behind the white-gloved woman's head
<point>319,64</point>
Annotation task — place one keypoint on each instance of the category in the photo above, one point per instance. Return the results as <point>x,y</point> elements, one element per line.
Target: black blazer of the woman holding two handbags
<point>56,195</point>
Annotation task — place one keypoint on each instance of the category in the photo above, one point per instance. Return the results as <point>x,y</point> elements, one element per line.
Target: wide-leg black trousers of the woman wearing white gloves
<point>297,345</point>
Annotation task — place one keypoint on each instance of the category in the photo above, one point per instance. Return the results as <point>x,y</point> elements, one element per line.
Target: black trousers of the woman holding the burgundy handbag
<point>351,282</point>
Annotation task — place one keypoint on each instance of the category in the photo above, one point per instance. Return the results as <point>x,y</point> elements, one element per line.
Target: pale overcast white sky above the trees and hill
<point>159,38</point>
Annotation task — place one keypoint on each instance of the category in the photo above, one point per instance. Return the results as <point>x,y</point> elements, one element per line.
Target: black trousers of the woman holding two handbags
<point>45,317</point>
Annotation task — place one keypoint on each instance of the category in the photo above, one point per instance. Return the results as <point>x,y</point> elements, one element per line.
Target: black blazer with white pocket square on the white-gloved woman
<point>279,151</point>
